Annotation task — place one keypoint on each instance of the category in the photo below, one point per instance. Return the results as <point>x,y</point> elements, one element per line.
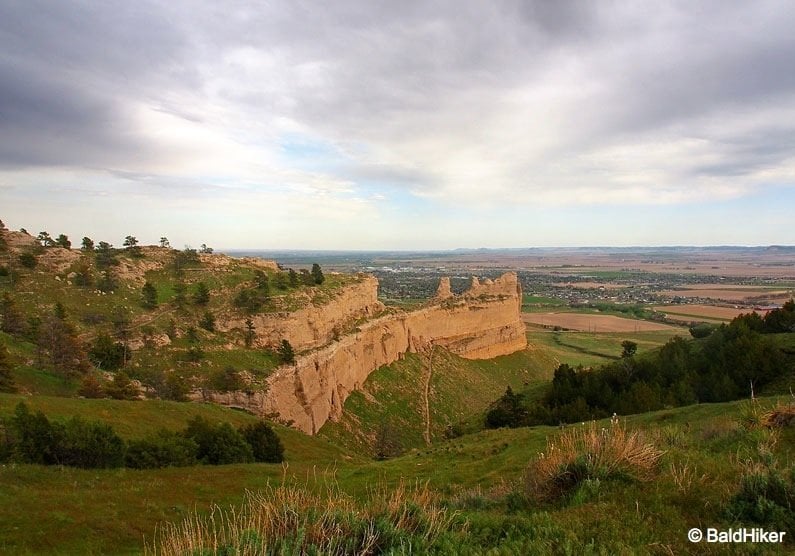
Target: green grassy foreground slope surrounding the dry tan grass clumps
<point>707,450</point>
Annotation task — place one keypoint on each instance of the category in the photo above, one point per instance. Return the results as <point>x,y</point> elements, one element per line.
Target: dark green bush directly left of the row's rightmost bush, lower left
<point>218,444</point>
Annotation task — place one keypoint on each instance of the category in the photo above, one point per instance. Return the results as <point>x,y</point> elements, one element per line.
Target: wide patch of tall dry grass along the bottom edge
<point>292,520</point>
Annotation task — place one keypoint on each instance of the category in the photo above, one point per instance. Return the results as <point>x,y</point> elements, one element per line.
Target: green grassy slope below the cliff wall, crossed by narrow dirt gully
<point>392,398</point>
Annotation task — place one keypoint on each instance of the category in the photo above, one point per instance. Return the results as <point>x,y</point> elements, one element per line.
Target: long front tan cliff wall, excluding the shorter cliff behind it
<point>482,323</point>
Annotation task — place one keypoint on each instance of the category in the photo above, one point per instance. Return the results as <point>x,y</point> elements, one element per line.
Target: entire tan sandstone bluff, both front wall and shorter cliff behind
<point>481,323</point>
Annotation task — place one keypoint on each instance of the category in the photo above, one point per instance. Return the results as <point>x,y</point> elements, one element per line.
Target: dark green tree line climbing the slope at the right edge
<point>730,362</point>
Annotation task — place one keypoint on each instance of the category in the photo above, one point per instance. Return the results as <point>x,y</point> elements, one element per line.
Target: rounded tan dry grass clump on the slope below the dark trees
<point>590,452</point>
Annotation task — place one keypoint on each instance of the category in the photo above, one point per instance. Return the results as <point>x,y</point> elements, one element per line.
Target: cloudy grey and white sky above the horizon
<point>399,125</point>
